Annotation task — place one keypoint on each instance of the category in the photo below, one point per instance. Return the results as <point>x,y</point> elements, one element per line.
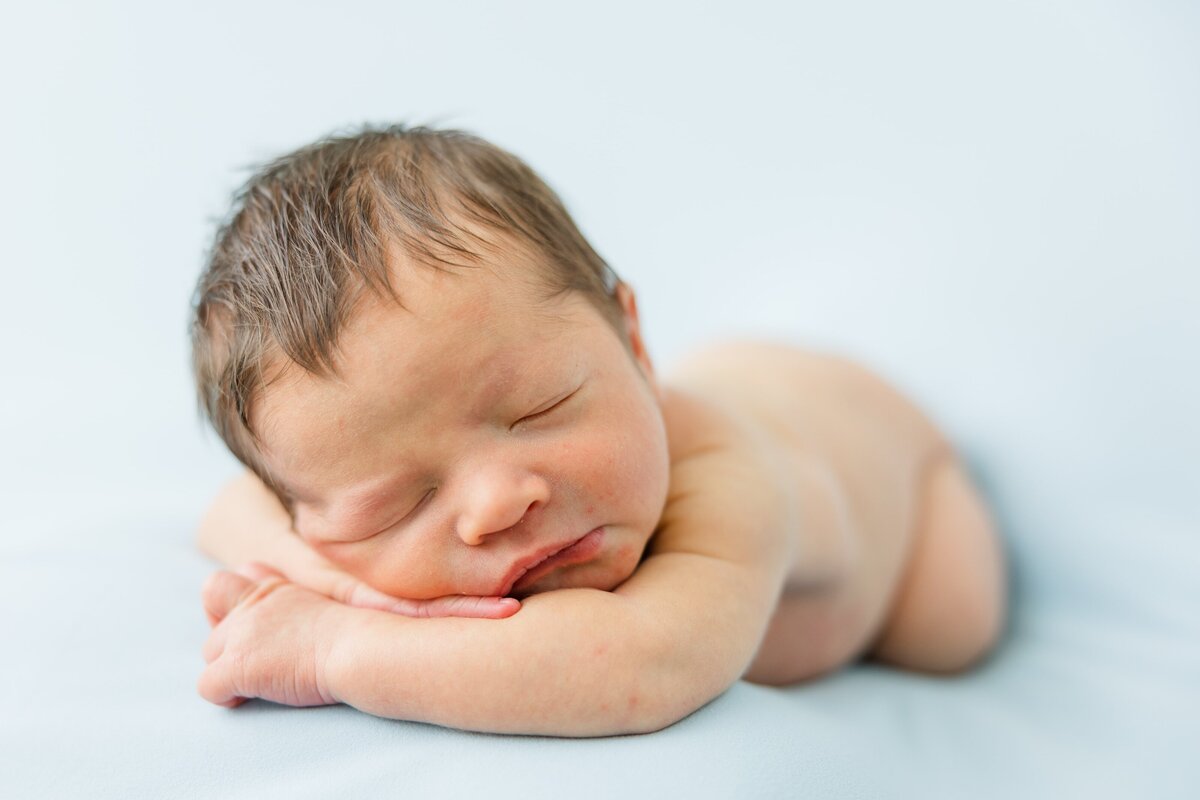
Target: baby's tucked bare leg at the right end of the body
<point>949,610</point>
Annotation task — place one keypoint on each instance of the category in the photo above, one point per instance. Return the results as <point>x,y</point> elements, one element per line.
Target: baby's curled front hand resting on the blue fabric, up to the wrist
<point>271,640</point>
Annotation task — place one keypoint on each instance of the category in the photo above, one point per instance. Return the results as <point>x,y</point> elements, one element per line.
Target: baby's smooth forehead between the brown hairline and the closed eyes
<point>461,344</point>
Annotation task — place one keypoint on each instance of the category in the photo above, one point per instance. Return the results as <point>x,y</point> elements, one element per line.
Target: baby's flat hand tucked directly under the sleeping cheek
<point>321,576</point>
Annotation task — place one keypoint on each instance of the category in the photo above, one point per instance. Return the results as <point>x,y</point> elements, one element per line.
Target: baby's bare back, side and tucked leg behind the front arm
<point>897,557</point>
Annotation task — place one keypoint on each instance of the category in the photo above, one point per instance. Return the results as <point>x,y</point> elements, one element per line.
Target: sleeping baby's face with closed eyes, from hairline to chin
<point>470,436</point>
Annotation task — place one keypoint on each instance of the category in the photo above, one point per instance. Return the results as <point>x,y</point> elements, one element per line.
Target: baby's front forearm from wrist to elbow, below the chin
<point>577,663</point>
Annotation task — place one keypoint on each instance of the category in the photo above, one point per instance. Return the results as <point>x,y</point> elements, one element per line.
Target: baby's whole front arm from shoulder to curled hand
<point>572,663</point>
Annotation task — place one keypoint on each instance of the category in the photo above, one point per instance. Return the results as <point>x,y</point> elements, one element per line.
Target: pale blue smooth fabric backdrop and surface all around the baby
<point>994,206</point>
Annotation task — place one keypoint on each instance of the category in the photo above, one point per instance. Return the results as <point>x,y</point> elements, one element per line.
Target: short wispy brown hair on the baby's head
<point>309,232</point>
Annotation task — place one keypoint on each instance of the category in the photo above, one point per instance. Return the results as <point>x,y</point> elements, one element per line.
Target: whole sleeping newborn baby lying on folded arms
<point>472,501</point>
